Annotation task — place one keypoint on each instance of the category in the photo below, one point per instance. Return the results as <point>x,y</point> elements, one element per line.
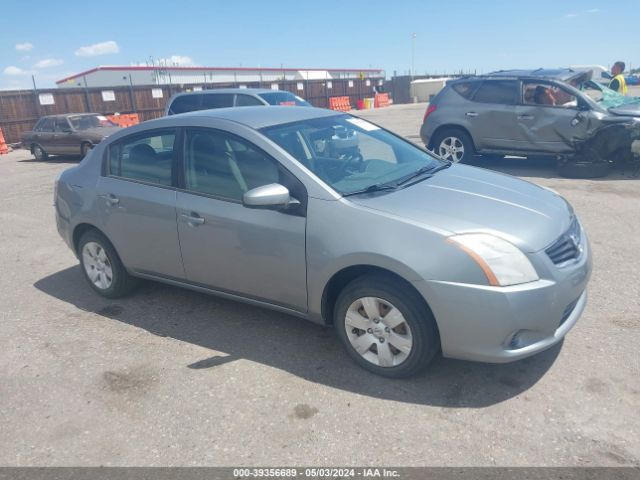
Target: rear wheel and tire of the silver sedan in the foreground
<point>102,266</point>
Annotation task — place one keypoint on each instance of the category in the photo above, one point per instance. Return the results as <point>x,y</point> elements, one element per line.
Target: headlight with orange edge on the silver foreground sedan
<point>502,262</point>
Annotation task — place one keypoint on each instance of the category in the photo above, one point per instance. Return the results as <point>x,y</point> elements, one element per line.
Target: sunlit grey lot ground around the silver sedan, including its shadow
<point>172,377</point>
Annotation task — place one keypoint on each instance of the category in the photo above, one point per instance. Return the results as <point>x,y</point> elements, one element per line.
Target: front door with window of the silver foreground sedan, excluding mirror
<point>256,253</point>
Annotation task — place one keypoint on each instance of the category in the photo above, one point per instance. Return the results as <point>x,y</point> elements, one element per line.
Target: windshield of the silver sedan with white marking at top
<point>352,155</point>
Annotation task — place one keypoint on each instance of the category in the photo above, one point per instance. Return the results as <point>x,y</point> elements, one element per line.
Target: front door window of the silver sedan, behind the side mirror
<point>222,165</point>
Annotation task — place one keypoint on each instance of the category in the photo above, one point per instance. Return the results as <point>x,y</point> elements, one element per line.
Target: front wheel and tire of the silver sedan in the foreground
<point>385,328</point>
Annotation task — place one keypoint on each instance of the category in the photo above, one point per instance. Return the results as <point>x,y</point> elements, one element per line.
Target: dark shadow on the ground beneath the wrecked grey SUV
<point>541,167</point>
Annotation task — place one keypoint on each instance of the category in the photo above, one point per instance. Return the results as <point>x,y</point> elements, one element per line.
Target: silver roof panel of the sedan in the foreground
<point>260,117</point>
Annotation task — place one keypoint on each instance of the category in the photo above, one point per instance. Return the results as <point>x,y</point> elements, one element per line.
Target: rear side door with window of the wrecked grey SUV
<point>493,118</point>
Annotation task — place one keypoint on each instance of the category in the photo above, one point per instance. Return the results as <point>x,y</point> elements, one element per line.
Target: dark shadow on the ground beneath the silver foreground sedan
<point>293,345</point>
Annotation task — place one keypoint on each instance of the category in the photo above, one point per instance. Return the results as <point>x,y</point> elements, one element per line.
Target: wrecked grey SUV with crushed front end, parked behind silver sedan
<point>532,113</point>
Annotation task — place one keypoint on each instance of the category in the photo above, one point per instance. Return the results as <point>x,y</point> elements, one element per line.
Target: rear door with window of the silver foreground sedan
<point>137,200</point>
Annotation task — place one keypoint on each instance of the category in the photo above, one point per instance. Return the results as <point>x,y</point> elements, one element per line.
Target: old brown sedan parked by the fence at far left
<point>69,134</point>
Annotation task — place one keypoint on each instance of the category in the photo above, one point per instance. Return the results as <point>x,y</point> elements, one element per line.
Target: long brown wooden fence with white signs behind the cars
<point>21,109</point>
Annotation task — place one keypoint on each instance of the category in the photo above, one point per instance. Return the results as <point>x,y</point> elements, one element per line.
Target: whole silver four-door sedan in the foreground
<point>331,218</point>
